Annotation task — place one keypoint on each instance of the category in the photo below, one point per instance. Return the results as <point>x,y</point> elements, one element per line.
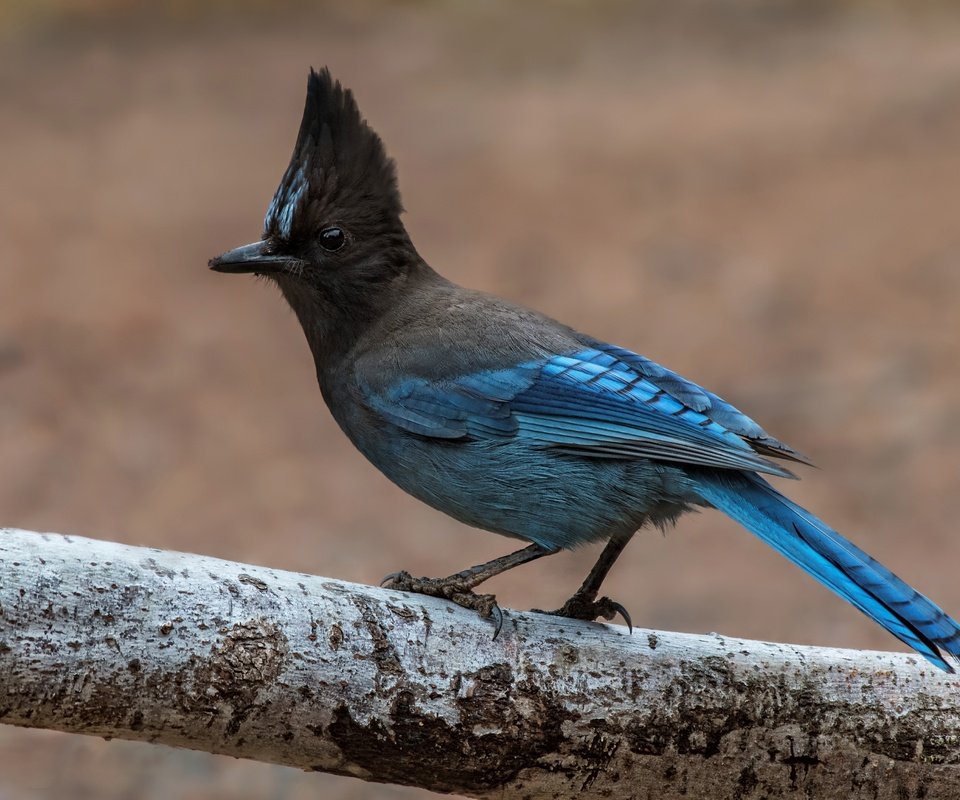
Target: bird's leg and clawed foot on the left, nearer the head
<point>458,588</point>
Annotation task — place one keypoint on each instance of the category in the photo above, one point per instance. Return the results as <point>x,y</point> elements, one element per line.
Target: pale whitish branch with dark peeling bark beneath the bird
<point>118,641</point>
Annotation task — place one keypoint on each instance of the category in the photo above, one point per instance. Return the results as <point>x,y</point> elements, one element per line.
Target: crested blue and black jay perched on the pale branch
<point>510,421</point>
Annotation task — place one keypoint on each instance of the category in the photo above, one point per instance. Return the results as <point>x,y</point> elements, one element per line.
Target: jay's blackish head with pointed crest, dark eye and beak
<point>332,236</point>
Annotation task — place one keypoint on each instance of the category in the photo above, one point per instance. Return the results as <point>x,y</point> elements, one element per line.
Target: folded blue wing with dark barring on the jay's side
<point>601,402</point>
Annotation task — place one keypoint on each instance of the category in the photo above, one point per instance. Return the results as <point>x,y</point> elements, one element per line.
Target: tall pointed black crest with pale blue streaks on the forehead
<point>339,170</point>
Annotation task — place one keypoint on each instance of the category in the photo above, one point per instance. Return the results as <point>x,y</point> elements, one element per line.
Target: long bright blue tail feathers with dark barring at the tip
<point>838,564</point>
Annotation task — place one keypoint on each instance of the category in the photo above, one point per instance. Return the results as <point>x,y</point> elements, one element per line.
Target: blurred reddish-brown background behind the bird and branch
<point>761,195</point>
